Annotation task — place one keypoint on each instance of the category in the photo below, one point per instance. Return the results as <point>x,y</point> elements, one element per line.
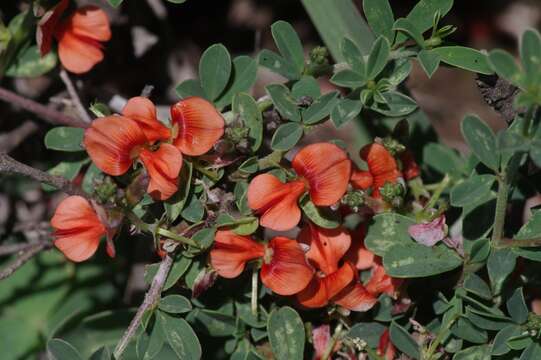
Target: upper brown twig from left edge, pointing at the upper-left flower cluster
<point>46,113</point>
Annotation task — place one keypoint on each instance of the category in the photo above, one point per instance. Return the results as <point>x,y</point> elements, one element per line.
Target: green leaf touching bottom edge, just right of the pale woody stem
<point>180,337</point>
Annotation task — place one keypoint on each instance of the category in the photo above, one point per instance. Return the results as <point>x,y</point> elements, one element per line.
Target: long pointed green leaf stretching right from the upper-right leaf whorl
<point>464,58</point>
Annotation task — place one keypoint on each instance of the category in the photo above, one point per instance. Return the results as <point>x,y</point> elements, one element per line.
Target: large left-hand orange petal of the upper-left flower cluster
<point>109,142</point>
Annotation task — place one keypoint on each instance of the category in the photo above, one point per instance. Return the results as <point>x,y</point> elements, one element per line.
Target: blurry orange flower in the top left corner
<point>79,37</point>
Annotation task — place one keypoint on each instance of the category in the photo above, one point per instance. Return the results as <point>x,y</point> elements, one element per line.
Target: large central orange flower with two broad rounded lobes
<point>323,171</point>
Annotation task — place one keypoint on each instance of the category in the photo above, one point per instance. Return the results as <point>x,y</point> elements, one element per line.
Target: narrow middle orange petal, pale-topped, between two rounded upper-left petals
<point>143,111</point>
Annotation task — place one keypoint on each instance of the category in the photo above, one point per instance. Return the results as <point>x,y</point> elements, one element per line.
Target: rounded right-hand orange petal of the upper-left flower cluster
<point>199,124</point>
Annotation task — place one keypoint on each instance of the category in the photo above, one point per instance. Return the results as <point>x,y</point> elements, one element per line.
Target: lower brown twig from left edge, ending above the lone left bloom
<point>9,165</point>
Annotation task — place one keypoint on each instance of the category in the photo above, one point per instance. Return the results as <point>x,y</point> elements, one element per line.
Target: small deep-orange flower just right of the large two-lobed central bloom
<point>382,168</point>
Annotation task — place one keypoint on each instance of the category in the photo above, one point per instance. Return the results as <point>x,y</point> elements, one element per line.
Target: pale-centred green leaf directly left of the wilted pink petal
<point>386,231</point>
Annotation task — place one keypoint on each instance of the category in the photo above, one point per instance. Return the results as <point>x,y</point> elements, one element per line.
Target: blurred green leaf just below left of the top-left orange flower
<point>30,63</point>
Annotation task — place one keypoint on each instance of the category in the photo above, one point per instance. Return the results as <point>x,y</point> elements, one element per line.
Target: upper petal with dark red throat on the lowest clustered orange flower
<point>327,246</point>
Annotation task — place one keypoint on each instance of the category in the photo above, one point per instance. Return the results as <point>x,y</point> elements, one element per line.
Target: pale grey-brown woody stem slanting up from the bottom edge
<point>151,298</point>
